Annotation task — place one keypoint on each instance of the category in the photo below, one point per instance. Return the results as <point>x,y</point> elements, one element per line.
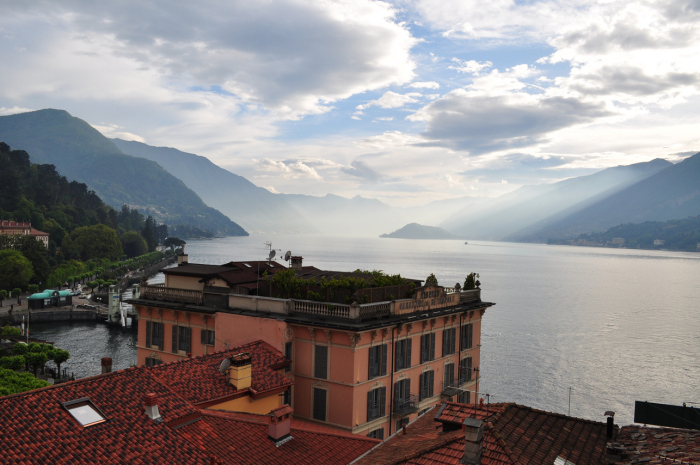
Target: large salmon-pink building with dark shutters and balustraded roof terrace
<point>366,368</point>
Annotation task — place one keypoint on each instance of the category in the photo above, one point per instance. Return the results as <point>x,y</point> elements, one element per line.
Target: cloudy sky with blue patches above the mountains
<point>406,101</point>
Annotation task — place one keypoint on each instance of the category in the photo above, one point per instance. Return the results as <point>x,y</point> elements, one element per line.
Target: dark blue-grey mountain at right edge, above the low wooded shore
<point>673,193</point>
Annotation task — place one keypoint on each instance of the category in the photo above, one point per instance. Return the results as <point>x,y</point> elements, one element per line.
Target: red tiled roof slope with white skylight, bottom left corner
<point>37,429</point>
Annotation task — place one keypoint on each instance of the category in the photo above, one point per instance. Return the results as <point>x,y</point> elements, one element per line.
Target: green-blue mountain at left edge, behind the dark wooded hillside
<point>81,153</point>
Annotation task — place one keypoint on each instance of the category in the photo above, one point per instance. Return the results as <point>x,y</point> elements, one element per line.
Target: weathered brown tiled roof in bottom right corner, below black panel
<point>668,446</point>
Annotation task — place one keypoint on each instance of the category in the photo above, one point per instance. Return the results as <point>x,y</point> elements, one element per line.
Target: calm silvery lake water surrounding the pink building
<point>614,325</point>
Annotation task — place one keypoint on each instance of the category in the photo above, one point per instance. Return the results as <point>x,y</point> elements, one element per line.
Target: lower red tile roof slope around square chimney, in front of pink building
<point>238,440</point>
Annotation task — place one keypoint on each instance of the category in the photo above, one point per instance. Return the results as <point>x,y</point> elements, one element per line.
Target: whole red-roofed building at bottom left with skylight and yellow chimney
<point>175,413</point>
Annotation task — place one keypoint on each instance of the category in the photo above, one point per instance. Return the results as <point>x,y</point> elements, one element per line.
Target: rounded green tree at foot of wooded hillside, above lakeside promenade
<point>93,242</point>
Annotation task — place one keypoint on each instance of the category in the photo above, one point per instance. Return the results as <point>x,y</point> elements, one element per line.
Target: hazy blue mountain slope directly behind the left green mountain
<point>253,207</point>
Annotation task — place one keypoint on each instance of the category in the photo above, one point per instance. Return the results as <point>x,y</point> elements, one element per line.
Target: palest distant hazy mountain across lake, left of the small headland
<point>358,216</point>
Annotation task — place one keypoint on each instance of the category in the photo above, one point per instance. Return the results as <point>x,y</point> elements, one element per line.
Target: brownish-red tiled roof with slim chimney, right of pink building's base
<point>513,435</point>
